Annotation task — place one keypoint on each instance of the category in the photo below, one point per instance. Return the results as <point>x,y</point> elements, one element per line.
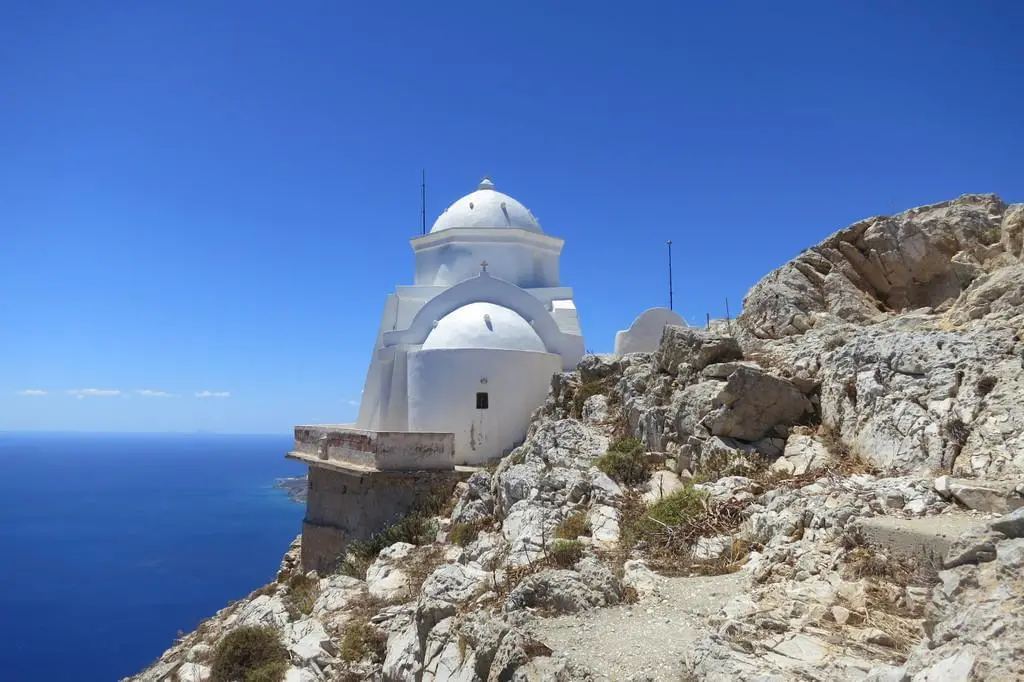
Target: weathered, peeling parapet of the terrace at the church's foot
<point>374,451</point>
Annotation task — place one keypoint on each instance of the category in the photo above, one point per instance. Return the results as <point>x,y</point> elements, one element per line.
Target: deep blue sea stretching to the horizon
<point>110,544</point>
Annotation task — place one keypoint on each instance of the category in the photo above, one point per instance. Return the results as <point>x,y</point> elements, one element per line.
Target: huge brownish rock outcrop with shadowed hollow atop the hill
<point>878,266</point>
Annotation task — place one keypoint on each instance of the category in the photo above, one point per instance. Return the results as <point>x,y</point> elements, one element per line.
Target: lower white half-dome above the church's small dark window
<point>484,326</point>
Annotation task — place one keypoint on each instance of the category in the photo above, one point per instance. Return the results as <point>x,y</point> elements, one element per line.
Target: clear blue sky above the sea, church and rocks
<point>211,200</point>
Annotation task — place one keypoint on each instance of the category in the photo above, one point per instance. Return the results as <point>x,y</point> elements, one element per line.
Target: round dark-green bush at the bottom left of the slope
<point>251,654</point>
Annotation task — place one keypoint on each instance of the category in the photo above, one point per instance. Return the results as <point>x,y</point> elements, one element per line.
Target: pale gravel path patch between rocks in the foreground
<point>647,641</point>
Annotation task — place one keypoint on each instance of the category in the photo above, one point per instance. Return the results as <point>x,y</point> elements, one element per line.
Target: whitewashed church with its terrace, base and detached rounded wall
<point>463,358</point>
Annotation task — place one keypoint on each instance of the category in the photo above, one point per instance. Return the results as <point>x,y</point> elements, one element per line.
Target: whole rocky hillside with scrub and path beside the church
<point>831,494</point>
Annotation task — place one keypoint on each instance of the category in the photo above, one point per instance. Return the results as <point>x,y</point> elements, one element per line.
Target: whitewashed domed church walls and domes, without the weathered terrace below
<point>471,348</point>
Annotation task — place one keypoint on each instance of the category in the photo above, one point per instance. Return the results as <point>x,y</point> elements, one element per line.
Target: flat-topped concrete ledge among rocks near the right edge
<point>926,539</point>
